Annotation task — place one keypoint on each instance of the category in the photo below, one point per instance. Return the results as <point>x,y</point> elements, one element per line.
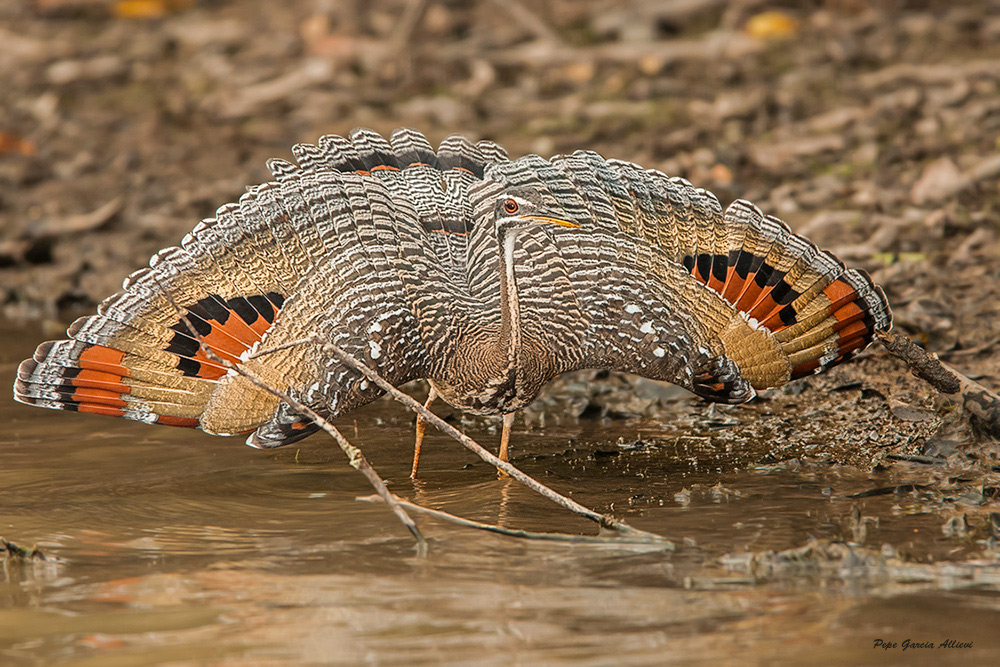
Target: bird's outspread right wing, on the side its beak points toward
<point>661,282</point>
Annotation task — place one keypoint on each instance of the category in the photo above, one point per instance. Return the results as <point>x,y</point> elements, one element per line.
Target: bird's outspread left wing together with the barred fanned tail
<point>363,241</point>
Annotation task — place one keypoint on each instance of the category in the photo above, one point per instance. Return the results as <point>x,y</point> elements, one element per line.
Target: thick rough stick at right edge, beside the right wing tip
<point>976,398</point>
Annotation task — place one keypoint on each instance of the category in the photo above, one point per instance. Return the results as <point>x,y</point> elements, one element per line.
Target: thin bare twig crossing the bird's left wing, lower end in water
<point>354,455</point>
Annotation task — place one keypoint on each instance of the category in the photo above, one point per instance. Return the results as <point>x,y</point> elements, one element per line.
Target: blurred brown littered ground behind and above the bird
<point>873,127</point>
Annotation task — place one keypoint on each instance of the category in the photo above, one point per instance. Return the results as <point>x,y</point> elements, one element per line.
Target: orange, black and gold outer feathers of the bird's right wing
<point>817,312</point>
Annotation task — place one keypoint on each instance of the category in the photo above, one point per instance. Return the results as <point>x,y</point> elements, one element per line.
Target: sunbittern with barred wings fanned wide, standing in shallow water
<point>486,276</point>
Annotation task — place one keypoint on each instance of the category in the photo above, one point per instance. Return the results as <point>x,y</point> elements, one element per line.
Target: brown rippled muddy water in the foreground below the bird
<point>180,548</point>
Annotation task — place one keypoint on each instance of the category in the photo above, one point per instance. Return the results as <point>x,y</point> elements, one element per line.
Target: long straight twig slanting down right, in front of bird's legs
<point>602,520</point>
